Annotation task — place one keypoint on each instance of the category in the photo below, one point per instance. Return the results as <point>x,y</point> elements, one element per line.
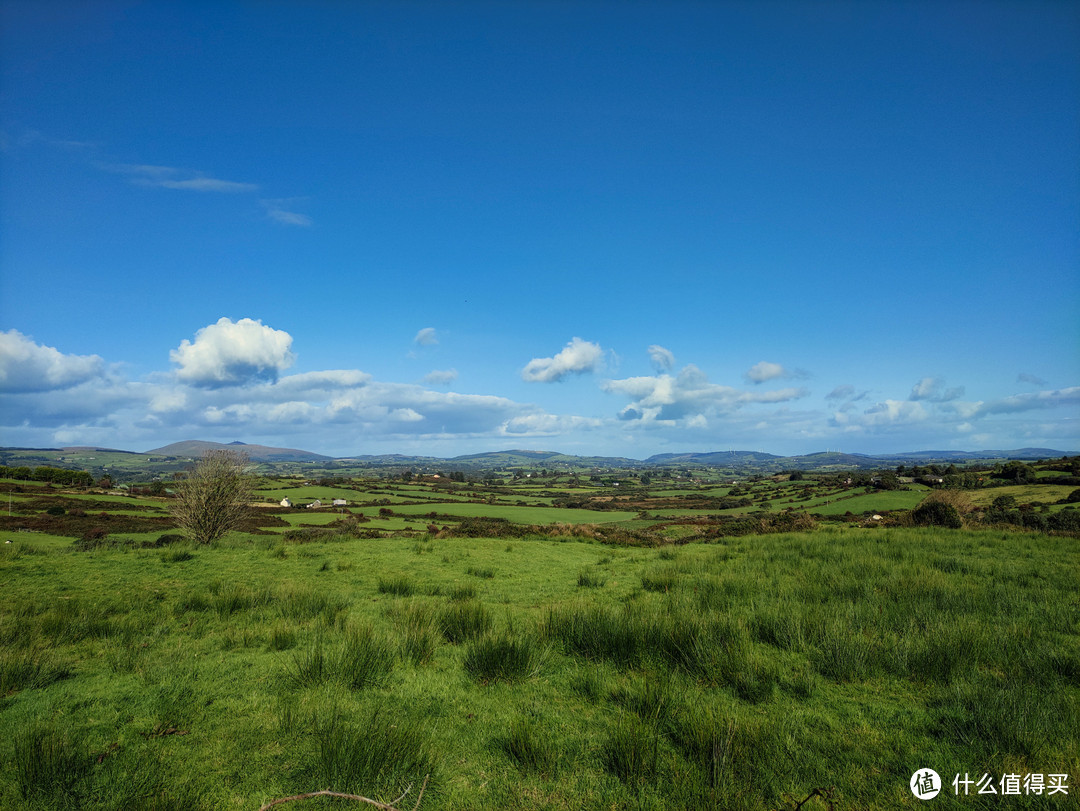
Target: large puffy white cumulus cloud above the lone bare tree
<point>234,354</point>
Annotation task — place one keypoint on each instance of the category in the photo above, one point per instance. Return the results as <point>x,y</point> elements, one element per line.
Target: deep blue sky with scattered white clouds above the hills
<point>616,228</point>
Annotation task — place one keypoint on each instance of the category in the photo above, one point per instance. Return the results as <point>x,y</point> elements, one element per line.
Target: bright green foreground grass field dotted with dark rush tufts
<point>538,674</point>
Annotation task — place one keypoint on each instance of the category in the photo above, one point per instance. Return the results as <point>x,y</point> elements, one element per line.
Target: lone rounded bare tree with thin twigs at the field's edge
<point>213,499</point>
